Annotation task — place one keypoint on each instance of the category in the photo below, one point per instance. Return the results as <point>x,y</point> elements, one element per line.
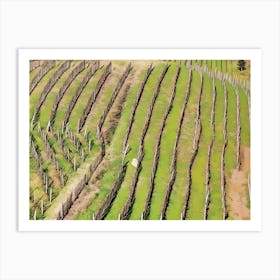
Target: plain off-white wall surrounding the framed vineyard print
<point>89,24</point>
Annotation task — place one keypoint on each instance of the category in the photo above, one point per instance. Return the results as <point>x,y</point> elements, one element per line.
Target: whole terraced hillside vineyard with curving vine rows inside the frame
<point>139,140</point>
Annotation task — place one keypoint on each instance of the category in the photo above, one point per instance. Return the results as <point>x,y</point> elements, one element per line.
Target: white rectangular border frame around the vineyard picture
<point>254,224</point>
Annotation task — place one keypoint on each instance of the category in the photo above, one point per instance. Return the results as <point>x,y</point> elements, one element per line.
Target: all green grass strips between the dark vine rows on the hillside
<point>112,161</point>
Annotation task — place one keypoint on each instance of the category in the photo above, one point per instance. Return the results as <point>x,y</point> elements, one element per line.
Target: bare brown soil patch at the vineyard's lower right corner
<point>237,197</point>
